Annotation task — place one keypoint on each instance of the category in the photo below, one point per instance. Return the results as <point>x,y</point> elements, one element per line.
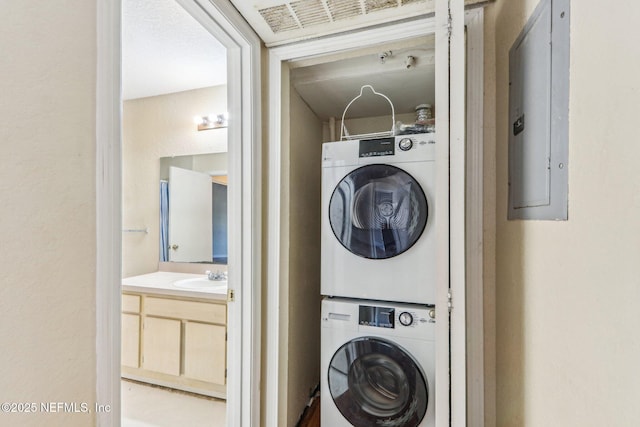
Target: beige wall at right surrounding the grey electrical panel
<point>567,293</point>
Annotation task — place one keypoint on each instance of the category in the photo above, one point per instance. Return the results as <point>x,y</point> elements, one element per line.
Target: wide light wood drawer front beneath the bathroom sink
<point>189,310</point>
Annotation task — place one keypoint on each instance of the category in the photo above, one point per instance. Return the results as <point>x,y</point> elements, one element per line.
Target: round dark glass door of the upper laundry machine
<point>378,211</point>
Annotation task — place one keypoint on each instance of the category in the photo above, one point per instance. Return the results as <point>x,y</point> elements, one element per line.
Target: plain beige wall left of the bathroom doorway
<point>47,220</point>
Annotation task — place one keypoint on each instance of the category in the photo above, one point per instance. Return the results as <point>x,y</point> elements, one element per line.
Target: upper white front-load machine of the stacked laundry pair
<point>378,206</point>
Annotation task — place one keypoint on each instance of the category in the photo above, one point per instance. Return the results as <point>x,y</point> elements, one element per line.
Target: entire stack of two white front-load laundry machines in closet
<point>378,278</point>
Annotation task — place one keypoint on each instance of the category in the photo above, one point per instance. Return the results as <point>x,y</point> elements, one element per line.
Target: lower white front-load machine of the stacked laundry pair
<point>377,364</point>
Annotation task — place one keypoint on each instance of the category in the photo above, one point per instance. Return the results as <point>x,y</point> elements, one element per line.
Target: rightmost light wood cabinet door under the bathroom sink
<point>205,352</point>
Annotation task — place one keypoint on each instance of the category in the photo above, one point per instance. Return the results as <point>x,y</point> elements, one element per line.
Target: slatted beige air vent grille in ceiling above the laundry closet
<point>301,14</point>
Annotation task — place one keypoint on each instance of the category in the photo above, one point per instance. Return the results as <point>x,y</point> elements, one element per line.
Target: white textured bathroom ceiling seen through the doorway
<point>165,50</point>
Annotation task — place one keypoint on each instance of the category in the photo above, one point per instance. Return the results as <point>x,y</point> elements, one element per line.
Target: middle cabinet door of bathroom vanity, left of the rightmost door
<point>161,345</point>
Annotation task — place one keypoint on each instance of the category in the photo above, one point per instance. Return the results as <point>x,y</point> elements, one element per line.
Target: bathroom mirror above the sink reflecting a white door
<point>193,208</point>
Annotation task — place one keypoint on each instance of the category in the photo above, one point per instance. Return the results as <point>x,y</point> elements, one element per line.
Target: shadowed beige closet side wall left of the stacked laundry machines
<point>304,260</point>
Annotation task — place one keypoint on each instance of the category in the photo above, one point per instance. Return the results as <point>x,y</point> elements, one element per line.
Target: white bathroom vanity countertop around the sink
<point>161,282</point>
